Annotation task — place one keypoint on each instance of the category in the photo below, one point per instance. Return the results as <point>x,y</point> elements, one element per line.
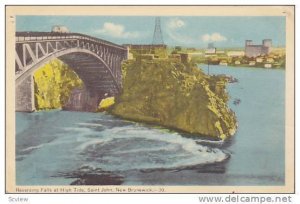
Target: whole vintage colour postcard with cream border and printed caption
<point>150,99</point>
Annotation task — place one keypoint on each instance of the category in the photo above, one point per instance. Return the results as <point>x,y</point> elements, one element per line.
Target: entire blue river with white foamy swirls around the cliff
<point>62,148</point>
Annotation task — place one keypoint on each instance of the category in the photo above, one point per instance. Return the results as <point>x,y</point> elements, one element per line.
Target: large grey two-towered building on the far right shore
<point>252,50</point>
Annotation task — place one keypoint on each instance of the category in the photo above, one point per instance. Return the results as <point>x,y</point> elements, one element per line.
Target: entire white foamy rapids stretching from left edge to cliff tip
<point>131,147</point>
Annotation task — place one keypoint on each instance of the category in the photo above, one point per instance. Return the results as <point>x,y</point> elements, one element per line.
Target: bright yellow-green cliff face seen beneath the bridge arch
<point>53,84</point>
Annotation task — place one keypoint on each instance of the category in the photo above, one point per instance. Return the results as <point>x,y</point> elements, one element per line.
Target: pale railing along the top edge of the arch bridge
<point>22,37</point>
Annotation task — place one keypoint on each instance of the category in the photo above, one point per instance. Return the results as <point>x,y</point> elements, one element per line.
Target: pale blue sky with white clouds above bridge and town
<point>194,31</point>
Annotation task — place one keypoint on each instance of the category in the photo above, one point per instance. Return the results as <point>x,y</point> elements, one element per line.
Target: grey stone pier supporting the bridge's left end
<point>25,95</point>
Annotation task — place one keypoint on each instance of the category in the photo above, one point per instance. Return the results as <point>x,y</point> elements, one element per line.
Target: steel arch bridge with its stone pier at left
<point>97,62</point>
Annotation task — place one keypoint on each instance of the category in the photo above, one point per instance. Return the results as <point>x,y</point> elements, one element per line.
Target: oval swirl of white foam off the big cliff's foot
<point>172,150</point>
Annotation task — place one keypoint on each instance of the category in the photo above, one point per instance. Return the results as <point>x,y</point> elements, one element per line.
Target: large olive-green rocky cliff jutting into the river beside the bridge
<point>175,95</point>
